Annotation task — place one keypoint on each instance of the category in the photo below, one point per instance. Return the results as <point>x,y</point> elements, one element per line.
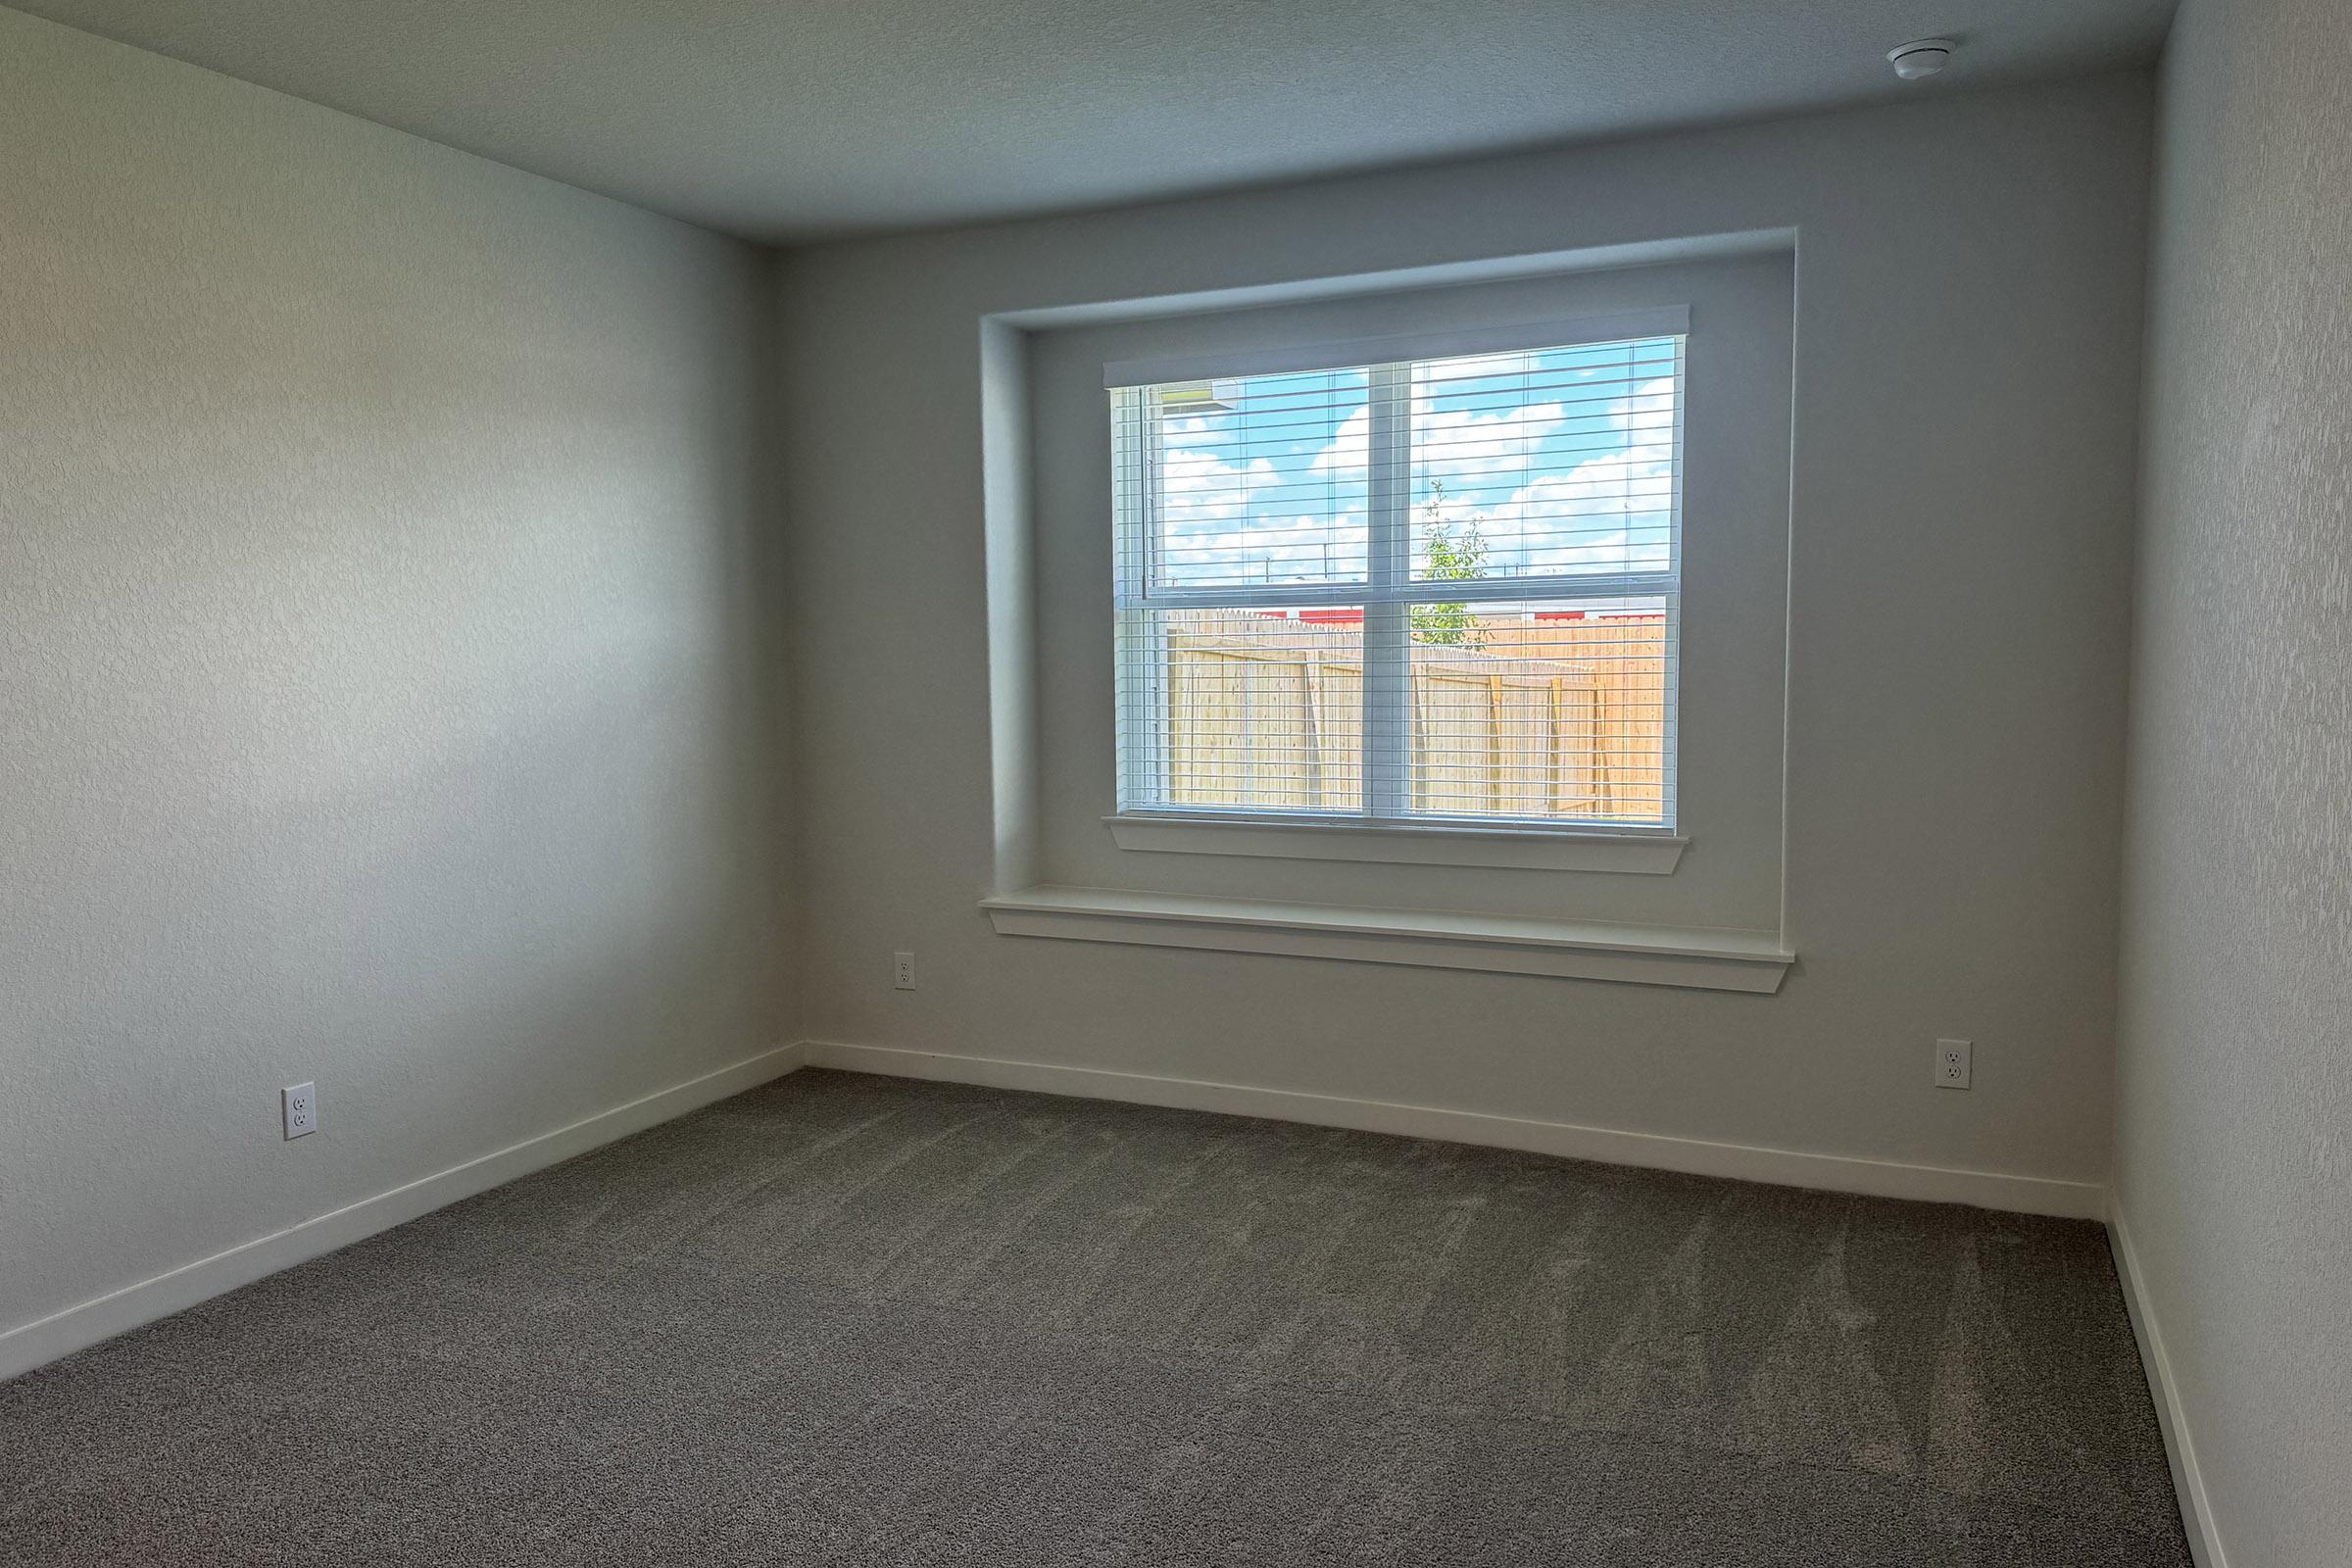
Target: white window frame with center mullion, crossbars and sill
<point>1387,829</point>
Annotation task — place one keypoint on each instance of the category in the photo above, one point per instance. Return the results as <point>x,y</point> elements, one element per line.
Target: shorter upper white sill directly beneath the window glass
<point>1539,850</point>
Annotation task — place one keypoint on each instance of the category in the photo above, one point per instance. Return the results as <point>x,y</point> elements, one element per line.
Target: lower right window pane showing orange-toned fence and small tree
<point>1542,711</point>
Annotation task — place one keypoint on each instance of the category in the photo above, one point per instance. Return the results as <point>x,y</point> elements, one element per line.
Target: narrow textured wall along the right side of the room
<point>2236,1068</point>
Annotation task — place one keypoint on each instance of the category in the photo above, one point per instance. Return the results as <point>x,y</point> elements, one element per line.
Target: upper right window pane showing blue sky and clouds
<point>1546,462</point>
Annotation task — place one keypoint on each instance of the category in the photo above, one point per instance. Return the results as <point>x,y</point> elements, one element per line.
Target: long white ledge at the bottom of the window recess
<point>1499,944</point>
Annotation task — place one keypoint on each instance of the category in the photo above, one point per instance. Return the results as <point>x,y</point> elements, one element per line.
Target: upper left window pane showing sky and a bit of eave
<point>1259,481</point>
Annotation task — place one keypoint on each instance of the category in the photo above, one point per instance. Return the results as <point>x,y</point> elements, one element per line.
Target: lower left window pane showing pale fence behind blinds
<point>1250,709</point>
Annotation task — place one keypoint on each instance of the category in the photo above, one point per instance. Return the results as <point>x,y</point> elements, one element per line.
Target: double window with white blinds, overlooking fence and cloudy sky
<point>1431,584</point>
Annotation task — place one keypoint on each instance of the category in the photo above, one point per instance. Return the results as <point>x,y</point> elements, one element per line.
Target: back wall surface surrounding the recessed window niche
<point>1967,377</point>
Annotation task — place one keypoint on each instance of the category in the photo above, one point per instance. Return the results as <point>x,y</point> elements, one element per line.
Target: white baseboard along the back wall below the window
<point>1692,1155</point>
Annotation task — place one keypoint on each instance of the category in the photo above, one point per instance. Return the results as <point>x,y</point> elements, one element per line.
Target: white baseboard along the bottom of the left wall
<point>100,1320</point>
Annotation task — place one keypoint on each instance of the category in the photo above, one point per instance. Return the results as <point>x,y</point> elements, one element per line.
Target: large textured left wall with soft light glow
<point>380,688</point>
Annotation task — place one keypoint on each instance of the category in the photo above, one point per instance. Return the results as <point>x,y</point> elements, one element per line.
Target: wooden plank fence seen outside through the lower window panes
<point>1532,718</point>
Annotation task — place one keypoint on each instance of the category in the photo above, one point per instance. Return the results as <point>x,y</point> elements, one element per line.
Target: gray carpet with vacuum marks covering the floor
<point>853,1320</point>
